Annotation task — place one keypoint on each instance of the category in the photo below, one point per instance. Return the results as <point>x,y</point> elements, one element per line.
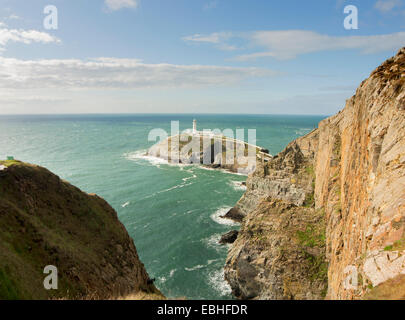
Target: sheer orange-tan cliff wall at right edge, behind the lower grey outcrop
<point>360,172</point>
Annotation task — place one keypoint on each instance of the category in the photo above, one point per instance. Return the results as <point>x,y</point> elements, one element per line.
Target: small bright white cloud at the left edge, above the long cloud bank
<point>24,36</point>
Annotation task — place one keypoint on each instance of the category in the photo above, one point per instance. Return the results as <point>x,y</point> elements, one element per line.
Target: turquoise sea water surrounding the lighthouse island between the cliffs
<point>172,212</point>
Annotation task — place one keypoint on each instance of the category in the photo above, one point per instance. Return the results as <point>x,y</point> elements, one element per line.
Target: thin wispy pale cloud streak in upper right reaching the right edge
<point>288,44</point>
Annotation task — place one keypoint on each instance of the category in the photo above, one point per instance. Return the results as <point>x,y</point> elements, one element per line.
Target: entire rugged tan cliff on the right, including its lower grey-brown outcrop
<point>357,195</point>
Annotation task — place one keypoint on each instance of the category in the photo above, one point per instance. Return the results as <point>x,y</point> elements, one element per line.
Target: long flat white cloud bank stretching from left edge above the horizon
<point>117,73</point>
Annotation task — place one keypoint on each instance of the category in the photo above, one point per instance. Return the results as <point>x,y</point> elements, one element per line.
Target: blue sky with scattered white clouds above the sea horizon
<point>191,56</point>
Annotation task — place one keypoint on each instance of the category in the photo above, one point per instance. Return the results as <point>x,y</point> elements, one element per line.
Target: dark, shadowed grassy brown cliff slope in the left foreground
<point>46,221</point>
